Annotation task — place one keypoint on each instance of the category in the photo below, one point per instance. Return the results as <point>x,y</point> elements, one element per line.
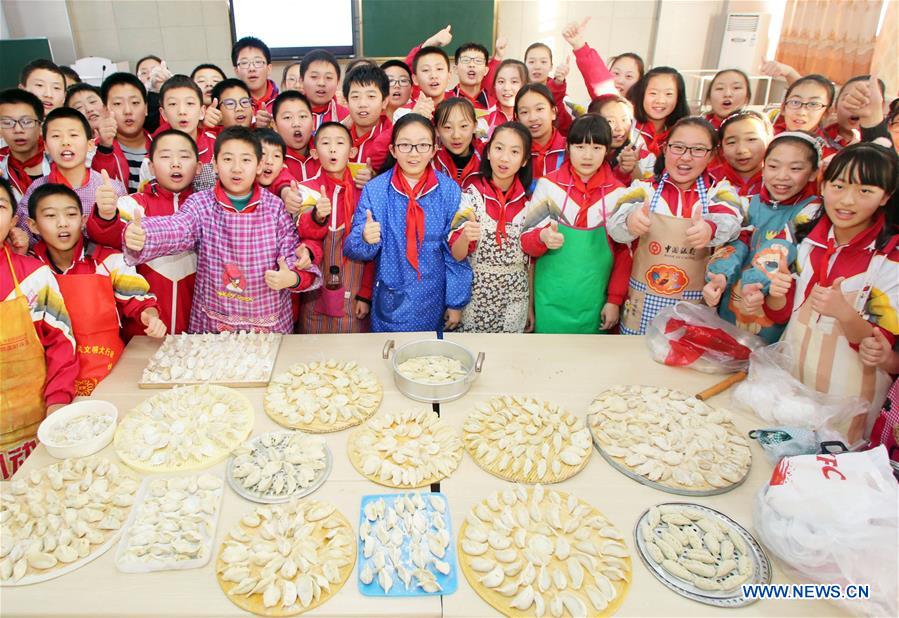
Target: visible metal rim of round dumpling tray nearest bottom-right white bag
<point>725,598</point>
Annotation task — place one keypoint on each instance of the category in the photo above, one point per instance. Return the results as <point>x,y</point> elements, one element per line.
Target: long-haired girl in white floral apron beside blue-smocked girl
<point>487,230</point>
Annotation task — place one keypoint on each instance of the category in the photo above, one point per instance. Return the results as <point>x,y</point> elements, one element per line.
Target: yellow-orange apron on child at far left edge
<point>23,372</point>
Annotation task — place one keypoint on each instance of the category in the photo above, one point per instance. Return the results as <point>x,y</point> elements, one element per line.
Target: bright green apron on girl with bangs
<point>570,283</point>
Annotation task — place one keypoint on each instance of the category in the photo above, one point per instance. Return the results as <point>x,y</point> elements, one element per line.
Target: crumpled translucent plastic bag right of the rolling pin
<point>775,395</point>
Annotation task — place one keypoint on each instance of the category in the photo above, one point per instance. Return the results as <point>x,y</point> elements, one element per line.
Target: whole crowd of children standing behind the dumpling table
<point>382,199</point>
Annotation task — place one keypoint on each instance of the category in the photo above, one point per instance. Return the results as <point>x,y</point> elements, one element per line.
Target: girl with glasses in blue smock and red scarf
<point>402,222</point>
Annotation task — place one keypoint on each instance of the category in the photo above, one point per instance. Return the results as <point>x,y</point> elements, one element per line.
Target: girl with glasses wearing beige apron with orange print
<point>673,221</point>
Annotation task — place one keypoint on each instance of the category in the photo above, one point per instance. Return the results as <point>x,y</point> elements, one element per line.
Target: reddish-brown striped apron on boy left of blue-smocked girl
<point>313,319</point>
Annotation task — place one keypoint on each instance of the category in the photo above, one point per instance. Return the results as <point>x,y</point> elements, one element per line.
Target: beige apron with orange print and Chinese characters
<point>666,271</point>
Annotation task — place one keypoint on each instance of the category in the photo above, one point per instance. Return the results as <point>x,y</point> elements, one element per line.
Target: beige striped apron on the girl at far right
<point>824,360</point>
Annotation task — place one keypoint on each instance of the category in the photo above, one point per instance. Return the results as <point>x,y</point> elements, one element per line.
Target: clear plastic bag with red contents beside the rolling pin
<point>694,336</point>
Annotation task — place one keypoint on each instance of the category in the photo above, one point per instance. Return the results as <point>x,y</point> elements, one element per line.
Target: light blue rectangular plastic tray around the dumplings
<point>449,583</point>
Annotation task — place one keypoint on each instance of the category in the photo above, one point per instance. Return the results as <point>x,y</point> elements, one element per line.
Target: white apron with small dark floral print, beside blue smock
<point>500,291</point>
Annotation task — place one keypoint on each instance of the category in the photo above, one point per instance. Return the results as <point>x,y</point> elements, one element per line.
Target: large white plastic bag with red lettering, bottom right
<point>832,519</point>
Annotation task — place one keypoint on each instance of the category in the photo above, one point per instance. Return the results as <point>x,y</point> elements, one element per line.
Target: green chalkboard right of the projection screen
<point>393,27</point>
